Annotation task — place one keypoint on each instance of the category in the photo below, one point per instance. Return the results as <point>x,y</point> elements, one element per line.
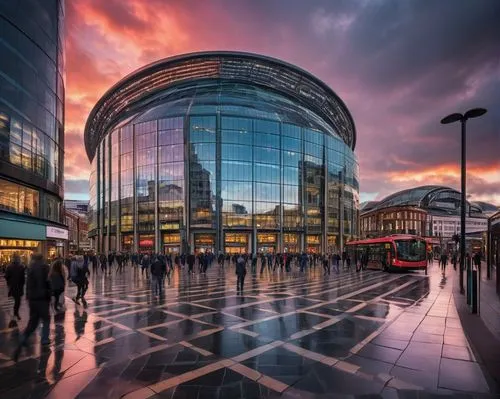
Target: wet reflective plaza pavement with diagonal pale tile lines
<point>368,334</point>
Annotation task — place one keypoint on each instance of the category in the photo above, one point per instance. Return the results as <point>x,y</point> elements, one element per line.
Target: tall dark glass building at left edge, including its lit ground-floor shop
<point>31,127</point>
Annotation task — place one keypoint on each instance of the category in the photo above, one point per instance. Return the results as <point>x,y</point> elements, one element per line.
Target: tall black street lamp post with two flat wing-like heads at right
<point>472,113</point>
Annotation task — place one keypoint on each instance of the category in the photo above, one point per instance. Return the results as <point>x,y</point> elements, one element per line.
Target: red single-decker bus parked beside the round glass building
<point>395,252</point>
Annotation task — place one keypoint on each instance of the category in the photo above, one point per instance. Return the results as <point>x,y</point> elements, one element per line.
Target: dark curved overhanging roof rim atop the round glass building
<point>142,87</point>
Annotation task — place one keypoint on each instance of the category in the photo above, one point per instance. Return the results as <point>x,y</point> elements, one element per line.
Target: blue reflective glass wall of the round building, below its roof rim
<point>248,183</point>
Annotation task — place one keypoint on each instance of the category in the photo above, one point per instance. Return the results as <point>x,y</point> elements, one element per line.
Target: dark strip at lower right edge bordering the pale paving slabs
<point>484,344</point>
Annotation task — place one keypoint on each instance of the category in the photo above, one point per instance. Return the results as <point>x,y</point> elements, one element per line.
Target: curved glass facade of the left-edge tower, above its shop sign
<point>31,102</point>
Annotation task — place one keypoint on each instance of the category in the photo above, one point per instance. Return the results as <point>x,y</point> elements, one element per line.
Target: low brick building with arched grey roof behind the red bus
<point>431,211</point>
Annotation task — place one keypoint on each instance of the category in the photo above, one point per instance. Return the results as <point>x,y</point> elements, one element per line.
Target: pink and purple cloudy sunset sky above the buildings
<point>400,66</point>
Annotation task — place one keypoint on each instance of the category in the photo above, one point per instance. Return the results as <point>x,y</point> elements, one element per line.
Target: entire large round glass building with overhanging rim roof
<point>221,151</point>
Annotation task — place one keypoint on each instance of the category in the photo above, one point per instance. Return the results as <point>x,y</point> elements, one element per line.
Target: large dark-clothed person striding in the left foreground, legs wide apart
<point>38,295</point>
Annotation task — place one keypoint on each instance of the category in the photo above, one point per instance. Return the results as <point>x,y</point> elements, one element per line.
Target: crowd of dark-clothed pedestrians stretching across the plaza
<point>45,282</point>
